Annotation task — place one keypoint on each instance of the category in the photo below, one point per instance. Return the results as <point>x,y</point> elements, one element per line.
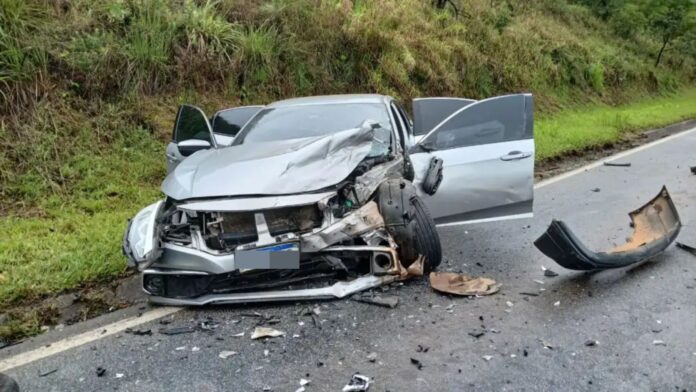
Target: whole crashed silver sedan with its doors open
<point>322,197</point>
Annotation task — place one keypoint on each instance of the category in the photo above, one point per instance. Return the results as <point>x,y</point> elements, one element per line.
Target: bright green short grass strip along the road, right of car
<point>593,126</point>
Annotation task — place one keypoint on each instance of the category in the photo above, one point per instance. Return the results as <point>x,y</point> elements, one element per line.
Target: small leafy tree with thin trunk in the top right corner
<point>669,20</point>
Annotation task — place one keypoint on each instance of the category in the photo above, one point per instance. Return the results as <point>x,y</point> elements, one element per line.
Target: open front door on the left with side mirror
<point>192,132</point>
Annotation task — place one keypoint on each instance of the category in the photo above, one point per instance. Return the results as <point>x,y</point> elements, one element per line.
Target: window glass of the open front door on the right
<point>489,121</point>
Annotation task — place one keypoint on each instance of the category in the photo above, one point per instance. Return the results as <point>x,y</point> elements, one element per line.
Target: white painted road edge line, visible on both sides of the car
<point>118,326</point>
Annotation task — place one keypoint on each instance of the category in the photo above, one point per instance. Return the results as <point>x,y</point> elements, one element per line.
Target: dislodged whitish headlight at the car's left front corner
<point>140,244</point>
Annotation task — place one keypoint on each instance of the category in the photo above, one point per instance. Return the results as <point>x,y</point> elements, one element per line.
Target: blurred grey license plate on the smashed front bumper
<point>281,256</point>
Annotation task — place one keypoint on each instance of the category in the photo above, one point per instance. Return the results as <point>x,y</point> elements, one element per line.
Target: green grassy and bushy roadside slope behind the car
<point>88,92</point>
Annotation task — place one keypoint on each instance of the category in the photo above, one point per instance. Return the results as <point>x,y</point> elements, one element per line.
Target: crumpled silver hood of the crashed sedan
<point>270,168</point>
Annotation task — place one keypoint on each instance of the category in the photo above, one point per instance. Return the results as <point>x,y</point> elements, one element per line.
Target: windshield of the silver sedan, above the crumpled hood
<point>301,121</point>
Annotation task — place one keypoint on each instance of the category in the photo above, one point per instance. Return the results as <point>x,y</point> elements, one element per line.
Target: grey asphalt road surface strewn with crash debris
<point>625,310</point>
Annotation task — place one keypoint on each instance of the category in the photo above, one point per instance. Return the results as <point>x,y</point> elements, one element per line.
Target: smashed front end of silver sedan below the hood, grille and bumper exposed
<point>317,245</point>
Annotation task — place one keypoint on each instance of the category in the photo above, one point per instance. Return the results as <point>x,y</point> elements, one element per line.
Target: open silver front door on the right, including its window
<point>487,148</point>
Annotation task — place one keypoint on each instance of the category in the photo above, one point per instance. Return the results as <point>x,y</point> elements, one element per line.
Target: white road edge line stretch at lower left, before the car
<point>84,338</point>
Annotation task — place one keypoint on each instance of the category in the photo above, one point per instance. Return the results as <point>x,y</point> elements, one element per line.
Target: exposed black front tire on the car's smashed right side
<point>409,223</point>
